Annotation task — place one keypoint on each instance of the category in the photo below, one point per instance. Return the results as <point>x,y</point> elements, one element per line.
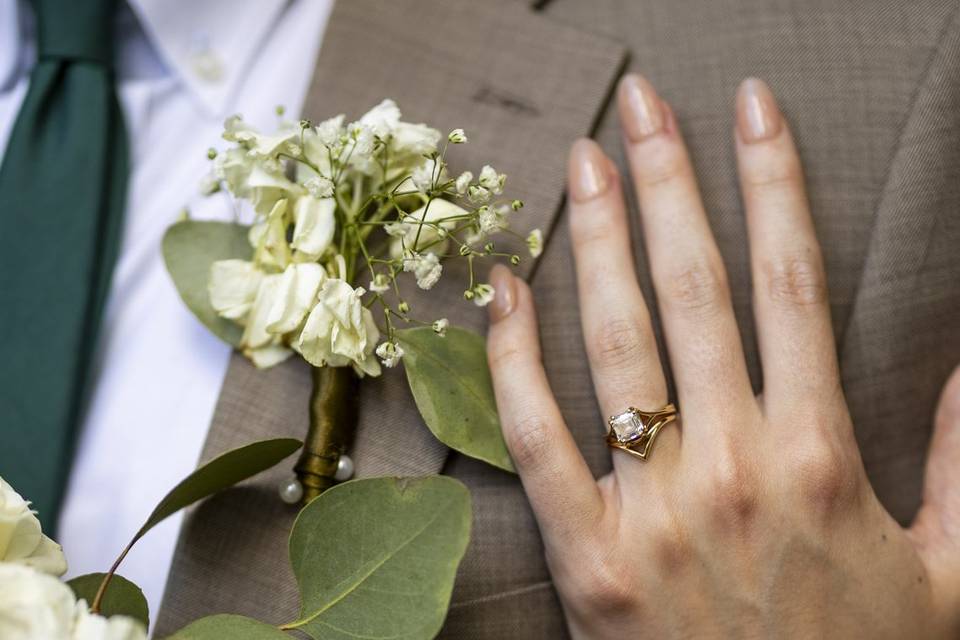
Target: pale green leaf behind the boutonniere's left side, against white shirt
<point>189,248</point>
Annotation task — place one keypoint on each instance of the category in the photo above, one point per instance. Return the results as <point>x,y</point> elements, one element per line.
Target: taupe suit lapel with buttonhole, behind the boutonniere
<point>523,88</point>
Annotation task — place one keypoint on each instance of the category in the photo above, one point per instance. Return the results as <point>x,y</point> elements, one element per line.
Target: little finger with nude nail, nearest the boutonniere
<point>558,483</point>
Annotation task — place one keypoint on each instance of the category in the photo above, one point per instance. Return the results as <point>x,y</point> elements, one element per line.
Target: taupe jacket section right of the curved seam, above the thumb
<point>898,338</point>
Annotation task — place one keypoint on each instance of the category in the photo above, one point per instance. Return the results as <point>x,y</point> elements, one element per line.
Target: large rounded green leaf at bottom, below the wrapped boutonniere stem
<point>377,557</point>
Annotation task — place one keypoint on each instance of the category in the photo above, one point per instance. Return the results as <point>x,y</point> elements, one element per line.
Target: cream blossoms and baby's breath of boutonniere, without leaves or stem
<point>342,212</point>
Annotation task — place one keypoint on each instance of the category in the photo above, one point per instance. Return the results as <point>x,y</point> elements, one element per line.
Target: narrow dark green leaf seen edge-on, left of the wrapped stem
<point>220,473</point>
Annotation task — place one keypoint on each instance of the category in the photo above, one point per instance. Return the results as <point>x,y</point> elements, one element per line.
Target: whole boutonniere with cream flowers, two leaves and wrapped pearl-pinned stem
<point>342,214</point>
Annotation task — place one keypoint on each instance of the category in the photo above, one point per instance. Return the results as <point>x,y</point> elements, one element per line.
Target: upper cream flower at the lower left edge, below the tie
<point>21,540</point>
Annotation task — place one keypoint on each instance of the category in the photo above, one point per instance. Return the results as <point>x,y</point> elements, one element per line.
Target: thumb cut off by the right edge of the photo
<point>936,528</point>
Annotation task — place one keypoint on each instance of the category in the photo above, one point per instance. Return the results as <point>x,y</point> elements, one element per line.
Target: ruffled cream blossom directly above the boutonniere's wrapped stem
<point>339,331</point>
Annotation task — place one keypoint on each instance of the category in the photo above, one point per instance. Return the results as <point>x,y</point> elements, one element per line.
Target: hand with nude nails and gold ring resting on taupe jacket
<point>753,516</point>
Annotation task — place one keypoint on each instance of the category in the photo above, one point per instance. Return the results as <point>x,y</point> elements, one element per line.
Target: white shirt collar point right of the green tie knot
<point>209,45</point>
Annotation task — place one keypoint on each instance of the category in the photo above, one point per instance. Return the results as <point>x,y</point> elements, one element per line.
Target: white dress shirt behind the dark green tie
<point>183,66</point>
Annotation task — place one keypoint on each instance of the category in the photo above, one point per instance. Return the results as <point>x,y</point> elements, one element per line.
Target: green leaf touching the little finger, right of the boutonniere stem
<point>451,384</point>
